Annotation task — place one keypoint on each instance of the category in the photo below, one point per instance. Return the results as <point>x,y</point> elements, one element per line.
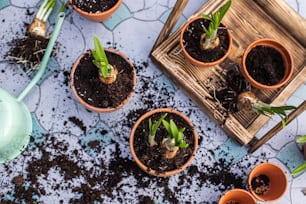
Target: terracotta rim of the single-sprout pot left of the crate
<point>98,109</point>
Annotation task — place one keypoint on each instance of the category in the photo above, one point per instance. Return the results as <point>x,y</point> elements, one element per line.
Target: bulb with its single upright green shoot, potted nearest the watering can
<point>106,70</point>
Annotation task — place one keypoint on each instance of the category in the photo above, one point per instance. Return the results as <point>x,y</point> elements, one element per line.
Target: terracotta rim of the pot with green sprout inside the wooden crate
<point>195,61</point>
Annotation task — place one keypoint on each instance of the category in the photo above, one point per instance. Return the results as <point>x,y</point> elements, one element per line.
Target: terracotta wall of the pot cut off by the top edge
<point>98,17</point>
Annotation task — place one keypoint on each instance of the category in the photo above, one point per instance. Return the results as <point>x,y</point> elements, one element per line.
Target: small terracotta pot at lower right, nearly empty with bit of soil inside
<point>278,181</point>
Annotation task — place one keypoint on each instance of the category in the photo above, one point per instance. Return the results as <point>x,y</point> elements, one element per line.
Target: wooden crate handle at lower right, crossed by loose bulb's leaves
<point>258,143</point>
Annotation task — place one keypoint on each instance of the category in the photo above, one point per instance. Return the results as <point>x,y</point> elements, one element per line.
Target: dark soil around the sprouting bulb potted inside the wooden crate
<point>192,37</point>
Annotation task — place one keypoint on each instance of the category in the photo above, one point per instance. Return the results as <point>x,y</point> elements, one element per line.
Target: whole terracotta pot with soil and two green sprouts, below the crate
<point>163,142</point>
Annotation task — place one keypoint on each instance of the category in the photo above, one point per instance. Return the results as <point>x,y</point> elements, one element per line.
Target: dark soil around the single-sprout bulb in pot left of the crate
<point>93,91</point>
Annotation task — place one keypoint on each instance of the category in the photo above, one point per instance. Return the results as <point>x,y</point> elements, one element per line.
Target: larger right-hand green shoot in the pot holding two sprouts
<point>176,136</point>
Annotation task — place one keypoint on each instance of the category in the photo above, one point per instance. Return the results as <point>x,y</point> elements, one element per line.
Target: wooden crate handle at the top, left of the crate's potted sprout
<point>171,21</point>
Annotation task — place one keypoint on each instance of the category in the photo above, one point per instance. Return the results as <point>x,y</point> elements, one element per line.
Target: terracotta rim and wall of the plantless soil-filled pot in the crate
<point>287,58</point>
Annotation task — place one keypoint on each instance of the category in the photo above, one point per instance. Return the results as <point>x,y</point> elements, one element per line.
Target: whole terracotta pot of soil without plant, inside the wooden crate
<point>267,64</point>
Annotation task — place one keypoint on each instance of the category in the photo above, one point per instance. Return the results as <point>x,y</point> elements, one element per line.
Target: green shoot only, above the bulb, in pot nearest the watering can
<point>100,60</point>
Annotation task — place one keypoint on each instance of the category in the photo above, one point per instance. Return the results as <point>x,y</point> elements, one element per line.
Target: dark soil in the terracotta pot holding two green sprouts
<point>153,156</point>
